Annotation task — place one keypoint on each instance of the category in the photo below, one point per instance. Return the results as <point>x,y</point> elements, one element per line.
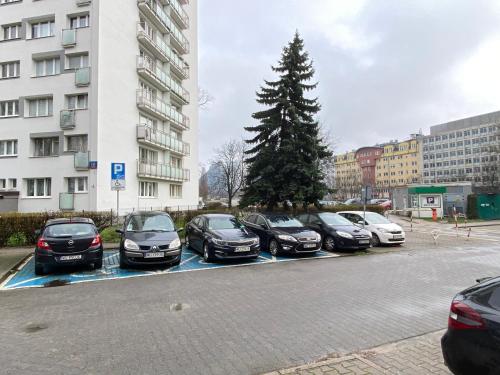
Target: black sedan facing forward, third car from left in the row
<point>220,236</point>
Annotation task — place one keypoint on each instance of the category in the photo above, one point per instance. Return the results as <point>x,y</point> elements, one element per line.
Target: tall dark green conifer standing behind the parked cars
<point>284,159</point>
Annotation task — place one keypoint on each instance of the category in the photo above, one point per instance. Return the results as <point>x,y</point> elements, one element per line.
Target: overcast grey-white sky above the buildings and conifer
<point>385,68</point>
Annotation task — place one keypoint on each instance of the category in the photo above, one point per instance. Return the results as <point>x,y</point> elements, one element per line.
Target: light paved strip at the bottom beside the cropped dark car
<point>415,356</point>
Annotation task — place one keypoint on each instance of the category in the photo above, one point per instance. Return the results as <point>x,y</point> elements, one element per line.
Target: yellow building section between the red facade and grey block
<point>400,164</point>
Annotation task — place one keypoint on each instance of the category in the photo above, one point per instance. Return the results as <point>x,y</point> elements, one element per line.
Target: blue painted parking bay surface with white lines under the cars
<point>191,261</point>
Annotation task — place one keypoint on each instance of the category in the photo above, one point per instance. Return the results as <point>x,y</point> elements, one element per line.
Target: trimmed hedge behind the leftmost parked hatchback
<point>18,229</point>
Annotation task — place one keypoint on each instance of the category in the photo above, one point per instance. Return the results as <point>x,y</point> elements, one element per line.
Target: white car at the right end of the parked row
<point>383,230</point>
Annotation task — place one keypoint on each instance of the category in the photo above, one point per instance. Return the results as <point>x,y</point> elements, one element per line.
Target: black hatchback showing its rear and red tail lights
<point>64,242</point>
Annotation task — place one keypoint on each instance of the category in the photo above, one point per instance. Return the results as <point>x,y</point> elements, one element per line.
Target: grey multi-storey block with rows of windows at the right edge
<point>463,150</point>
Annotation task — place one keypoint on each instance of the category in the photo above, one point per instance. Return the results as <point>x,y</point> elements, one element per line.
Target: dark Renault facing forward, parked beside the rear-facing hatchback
<point>149,238</point>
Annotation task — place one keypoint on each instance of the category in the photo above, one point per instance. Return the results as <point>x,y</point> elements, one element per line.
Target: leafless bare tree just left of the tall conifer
<point>229,160</point>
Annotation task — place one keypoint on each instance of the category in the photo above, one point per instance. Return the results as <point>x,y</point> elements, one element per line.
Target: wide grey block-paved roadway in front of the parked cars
<point>240,320</point>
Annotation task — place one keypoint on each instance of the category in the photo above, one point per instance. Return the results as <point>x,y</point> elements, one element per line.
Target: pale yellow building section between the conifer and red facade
<point>348,181</point>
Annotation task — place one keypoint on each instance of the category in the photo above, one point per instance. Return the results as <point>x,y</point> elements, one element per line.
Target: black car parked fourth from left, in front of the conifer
<point>280,233</point>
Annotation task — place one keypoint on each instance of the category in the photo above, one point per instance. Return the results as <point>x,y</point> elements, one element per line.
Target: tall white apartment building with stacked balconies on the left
<point>85,83</point>
